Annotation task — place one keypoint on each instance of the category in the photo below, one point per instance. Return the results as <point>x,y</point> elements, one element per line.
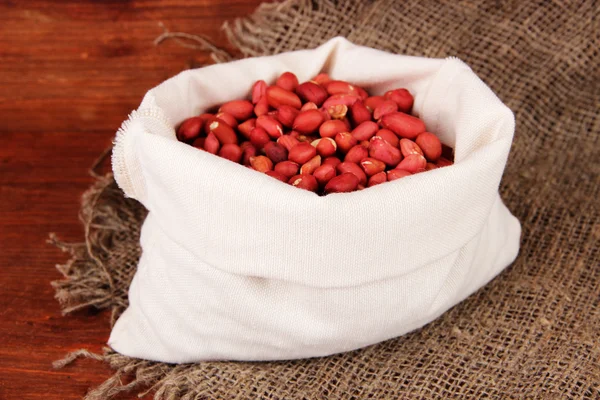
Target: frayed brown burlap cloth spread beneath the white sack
<point>534,331</point>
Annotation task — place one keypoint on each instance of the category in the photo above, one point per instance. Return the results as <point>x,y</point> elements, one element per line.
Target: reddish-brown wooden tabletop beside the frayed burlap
<point>70,72</point>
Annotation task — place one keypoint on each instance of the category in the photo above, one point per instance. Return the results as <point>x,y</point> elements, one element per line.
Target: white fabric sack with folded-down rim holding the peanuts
<point>237,265</point>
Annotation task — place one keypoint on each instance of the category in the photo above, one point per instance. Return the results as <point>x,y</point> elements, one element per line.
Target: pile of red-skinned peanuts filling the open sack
<point>324,135</point>
